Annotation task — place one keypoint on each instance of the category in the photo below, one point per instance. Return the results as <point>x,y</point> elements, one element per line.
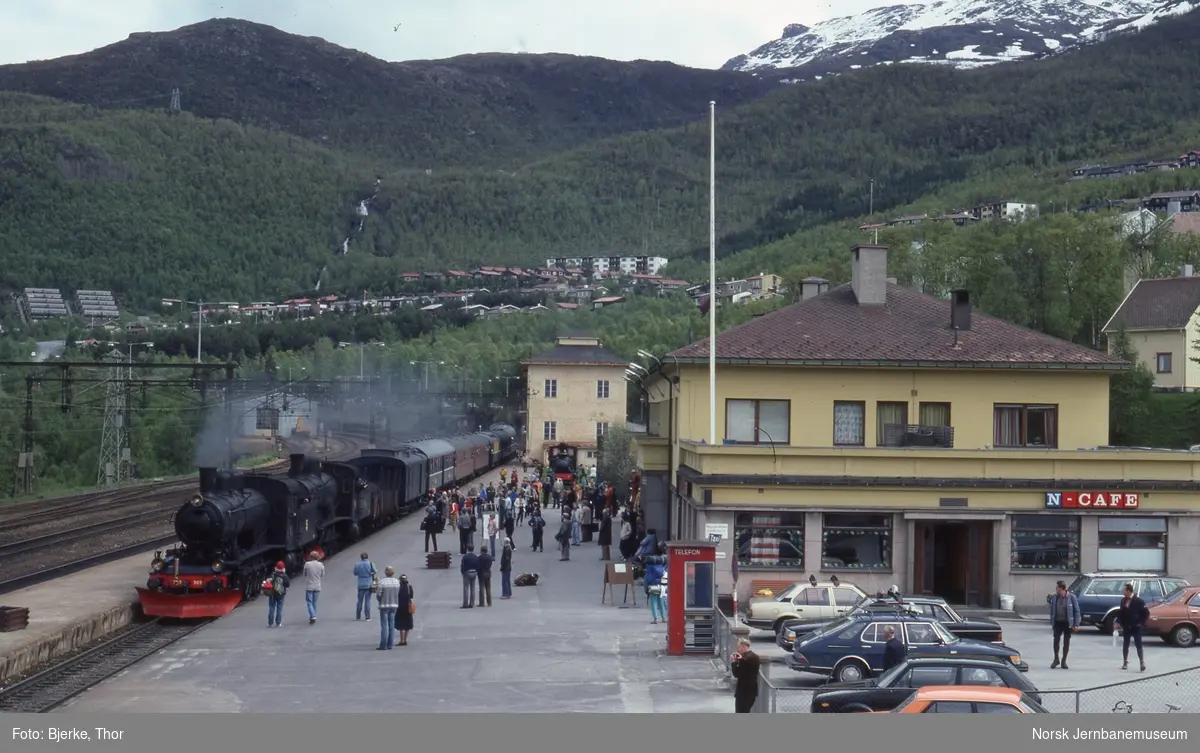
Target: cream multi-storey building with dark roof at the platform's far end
<point>577,390</point>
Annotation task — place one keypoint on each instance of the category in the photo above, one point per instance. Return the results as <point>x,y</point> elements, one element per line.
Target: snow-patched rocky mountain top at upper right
<point>958,33</point>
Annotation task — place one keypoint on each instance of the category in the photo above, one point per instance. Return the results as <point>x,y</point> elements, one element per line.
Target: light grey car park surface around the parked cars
<point>1094,662</point>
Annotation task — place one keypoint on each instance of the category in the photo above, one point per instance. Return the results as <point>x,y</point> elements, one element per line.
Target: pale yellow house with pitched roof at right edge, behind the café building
<point>1160,320</point>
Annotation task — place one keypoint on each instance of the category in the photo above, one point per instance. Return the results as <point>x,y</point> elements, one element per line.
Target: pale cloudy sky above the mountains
<point>695,33</point>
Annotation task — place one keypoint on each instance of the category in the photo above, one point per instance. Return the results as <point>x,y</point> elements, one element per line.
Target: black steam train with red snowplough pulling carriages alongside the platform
<point>239,525</point>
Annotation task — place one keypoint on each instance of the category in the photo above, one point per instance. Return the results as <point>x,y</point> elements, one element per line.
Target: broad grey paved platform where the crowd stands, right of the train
<point>553,648</point>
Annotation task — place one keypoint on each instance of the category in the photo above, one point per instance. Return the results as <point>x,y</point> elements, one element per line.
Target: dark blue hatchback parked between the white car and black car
<point>851,649</point>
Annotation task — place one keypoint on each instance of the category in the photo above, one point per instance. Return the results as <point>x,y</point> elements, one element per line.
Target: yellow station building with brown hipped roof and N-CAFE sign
<point>893,438</point>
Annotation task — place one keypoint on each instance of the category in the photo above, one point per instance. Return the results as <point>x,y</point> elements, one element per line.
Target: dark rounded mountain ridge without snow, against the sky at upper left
<point>424,115</point>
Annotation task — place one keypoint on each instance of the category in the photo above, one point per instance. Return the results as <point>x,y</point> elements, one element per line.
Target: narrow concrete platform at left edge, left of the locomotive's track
<point>69,613</point>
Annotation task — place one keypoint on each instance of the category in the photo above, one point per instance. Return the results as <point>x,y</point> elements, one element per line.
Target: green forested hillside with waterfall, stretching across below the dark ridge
<point>107,200</point>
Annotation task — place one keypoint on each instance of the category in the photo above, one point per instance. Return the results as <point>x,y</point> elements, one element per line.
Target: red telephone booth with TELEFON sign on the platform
<point>692,598</point>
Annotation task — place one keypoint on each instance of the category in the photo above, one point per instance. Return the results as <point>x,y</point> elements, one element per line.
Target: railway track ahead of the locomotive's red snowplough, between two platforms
<point>52,688</point>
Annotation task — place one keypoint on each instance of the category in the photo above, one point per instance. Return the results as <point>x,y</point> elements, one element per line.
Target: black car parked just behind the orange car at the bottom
<point>895,686</point>
